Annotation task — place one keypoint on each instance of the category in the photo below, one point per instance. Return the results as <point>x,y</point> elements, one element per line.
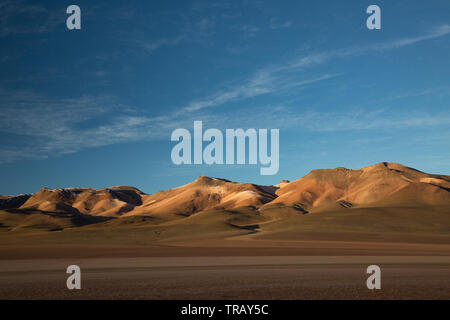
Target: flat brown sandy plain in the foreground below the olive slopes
<point>267,272</point>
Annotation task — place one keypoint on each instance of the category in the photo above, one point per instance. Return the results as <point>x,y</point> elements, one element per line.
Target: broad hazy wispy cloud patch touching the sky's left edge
<point>57,126</point>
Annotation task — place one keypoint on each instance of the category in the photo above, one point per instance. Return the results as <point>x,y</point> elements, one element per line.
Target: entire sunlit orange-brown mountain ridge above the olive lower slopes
<point>383,184</point>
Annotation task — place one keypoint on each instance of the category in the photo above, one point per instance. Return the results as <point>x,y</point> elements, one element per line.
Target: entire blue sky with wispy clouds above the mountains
<point>96,107</point>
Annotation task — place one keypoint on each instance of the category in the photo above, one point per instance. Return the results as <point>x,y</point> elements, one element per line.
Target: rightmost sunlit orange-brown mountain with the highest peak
<point>376,184</point>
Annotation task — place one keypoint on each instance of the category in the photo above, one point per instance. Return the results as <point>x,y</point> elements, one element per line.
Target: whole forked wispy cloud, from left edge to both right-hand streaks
<point>45,126</point>
